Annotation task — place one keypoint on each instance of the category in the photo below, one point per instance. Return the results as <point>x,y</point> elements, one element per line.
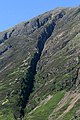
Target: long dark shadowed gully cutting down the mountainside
<point>27,83</point>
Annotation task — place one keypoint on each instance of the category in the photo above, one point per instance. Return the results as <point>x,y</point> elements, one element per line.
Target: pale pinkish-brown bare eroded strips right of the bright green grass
<point>73,96</point>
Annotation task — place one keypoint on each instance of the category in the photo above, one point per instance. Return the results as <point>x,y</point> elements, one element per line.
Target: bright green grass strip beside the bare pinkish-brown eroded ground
<point>44,111</point>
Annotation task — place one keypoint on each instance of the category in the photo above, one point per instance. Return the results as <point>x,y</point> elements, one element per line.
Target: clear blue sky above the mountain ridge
<point>14,12</point>
